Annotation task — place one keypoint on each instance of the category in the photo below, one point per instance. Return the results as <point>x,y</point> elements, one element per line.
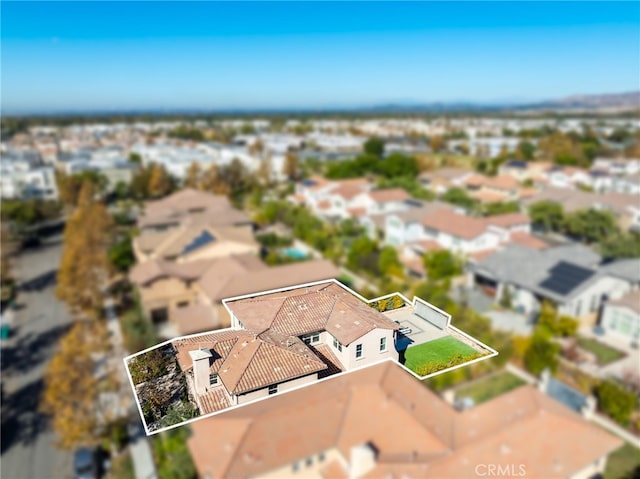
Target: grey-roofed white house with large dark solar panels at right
<point>570,276</point>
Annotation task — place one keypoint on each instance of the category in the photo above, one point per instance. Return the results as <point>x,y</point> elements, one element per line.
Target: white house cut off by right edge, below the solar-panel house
<point>621,317</point>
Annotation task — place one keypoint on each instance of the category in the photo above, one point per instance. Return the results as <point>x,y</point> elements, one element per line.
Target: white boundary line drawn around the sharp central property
<point>416,300</point>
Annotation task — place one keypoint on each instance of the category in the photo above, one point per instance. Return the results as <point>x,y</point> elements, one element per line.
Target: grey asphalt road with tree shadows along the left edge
<point>28,444</point>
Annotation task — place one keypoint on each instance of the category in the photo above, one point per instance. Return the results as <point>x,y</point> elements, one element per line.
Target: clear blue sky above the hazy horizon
<point>151,55</point>
